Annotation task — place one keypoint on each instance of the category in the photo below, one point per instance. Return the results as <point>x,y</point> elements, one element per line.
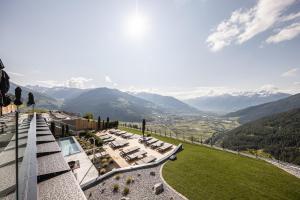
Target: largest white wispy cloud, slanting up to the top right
<point>245,24</point>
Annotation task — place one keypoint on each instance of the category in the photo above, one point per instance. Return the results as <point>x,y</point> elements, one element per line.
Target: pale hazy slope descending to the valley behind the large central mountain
<point>169,104</point>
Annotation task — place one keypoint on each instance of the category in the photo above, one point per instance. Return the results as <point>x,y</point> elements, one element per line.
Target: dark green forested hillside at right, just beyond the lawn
<point>278,135</point>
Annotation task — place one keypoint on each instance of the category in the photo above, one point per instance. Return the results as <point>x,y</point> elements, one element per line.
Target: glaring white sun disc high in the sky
<point>137,26</point>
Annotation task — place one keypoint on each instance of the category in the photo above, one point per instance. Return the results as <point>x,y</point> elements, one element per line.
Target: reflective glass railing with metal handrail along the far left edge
<point>14,152</point>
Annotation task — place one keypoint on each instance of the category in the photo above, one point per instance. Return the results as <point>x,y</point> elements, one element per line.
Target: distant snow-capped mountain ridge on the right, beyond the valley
<point>229,103</point>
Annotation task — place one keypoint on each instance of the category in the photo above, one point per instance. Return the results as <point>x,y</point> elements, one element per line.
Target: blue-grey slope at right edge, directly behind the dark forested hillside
<point>256,112</point>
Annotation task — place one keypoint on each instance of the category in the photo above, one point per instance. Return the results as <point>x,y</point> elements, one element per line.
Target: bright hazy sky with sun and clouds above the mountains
<point>183,48</point>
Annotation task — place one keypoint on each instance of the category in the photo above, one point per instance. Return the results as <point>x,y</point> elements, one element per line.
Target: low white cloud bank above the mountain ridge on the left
<point>74,82</point>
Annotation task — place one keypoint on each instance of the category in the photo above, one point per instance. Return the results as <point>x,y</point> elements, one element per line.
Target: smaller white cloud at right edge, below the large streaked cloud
<point>287,33</point>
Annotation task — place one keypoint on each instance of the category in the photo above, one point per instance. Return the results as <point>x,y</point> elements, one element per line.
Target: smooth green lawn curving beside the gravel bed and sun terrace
<point>204,173</point>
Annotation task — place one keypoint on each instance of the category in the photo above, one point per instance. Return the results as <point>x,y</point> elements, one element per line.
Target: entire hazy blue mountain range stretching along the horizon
<point>134,106</point>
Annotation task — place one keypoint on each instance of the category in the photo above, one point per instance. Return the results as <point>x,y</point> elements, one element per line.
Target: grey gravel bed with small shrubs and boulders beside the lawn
<point>140,189</point>
